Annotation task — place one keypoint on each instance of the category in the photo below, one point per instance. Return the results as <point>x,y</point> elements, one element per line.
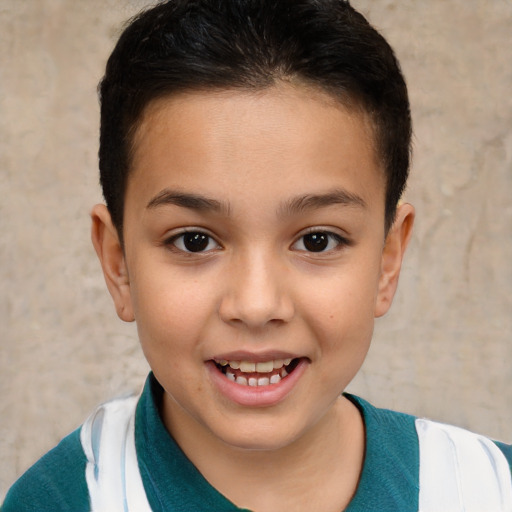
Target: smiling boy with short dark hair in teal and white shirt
<point>252,157</point>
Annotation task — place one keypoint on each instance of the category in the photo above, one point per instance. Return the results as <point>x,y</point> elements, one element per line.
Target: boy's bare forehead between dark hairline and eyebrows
<point>291,134</point>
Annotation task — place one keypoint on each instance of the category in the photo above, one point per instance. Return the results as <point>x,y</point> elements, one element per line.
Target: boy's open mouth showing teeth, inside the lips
<point>250,373</point>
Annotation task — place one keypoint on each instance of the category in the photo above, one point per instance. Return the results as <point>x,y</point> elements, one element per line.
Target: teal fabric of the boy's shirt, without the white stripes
<point>389,480</point>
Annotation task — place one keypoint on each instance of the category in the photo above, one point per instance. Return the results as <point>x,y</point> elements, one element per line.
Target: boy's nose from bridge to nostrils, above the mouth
<point>256,293</point>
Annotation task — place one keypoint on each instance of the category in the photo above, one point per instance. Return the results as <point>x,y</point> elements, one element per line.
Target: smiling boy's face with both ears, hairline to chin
<point>255,259</point>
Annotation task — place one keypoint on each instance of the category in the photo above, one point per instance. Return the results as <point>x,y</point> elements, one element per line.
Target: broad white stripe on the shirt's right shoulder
<point>461,471</point>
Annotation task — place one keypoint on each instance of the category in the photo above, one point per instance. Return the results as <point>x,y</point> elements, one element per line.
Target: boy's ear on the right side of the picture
<point>392,255</point>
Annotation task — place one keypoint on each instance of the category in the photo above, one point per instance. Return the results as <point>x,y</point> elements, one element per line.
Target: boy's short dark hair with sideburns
<point>181,45</point>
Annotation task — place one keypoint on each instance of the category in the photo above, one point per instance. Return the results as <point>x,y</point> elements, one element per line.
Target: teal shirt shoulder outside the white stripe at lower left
<point>55,482</point>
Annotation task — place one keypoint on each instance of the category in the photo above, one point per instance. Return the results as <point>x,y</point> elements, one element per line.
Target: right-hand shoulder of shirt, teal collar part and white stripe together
<point>412,464</point>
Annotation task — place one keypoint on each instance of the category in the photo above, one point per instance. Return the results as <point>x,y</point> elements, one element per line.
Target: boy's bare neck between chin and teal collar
<point>317,471</point>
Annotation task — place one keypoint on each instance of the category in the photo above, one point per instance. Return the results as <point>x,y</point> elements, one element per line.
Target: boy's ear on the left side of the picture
<point>111,255</point>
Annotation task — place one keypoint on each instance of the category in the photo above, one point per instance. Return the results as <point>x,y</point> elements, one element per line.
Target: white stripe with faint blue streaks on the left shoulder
<point>112,471</point>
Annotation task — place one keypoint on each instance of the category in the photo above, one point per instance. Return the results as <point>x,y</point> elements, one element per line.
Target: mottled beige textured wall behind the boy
<point>445,351</point>
